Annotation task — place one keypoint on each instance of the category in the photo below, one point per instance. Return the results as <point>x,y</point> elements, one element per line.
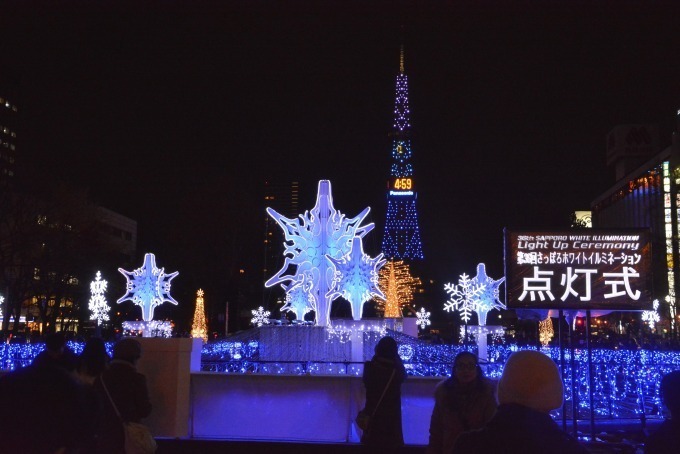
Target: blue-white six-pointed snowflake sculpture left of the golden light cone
<point>148,287</point>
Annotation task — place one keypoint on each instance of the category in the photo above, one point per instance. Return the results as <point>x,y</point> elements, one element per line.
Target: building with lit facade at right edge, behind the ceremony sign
<point>646,196</point>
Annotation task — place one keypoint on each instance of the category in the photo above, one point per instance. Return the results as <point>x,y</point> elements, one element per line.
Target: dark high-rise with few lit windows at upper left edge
<point>9,113</point>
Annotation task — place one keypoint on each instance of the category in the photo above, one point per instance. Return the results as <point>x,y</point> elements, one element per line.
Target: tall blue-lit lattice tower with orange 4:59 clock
<point>401,239</point>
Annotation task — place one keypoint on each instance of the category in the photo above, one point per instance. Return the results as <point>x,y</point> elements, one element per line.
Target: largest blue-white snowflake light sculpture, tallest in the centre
<point>311,241</point>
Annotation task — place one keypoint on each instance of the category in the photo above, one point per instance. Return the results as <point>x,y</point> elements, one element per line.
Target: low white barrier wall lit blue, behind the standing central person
<point>297,407</point>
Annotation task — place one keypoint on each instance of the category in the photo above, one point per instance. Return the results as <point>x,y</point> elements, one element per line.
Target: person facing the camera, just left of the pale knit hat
<point>466,401</point>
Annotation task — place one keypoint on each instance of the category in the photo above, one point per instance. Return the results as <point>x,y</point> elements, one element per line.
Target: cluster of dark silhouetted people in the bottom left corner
<point>70,404</point>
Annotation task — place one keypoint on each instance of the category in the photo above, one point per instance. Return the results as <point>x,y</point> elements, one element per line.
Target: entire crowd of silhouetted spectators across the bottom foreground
<point>70,404</point>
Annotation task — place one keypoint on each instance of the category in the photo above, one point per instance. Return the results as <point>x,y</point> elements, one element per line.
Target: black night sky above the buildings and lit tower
<point>174,115</point>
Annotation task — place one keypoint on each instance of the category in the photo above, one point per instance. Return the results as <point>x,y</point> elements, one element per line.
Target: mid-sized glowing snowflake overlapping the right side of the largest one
<point>356,277</point>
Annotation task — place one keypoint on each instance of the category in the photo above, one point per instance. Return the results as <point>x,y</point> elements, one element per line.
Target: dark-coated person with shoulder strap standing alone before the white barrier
<point>384,373</point>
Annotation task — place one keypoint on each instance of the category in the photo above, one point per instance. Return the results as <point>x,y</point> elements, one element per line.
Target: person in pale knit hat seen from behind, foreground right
<point>529,388</point>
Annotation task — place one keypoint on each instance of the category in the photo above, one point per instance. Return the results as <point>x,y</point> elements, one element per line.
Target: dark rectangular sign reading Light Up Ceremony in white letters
<point>579,269</point>
